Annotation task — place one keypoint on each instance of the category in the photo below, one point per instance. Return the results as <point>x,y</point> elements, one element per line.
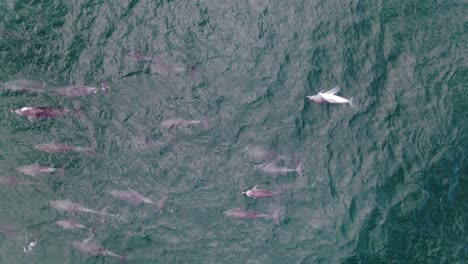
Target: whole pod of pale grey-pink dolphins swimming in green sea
<point>265,160</point>
